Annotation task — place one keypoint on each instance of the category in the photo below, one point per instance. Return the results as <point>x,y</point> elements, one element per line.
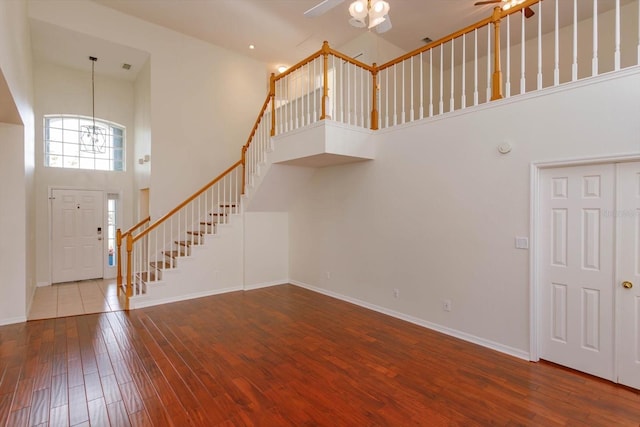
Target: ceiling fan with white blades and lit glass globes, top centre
<point>376,12</point>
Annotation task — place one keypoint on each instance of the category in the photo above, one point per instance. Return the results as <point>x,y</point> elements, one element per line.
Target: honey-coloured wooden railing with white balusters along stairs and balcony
<point>303,94</point>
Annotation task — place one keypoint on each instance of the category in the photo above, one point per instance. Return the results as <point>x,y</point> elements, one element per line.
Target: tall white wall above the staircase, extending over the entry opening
<point>204,99</point>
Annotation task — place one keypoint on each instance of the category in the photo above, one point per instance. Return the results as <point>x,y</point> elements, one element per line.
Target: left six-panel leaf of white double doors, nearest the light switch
<point>577,268</point>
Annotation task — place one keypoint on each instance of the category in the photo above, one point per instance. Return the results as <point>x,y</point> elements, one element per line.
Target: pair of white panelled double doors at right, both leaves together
<point>589,268</point>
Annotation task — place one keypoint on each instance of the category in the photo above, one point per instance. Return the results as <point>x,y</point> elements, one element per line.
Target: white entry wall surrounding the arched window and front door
<point>61,90</point>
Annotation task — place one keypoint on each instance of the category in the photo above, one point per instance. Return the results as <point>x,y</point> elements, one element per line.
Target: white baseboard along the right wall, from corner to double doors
<point>520,354</point>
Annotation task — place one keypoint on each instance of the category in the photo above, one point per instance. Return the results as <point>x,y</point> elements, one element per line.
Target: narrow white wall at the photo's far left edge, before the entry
<point>17,251</point>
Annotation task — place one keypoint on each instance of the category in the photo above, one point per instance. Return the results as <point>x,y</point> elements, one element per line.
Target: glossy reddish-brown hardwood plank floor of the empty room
<point>281,356</point>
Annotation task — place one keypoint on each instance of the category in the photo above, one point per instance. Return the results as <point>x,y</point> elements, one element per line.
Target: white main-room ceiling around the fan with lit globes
<point>281,33</point>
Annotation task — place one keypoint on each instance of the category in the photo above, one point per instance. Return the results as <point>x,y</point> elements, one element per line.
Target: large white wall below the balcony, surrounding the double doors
<point>435,215</point>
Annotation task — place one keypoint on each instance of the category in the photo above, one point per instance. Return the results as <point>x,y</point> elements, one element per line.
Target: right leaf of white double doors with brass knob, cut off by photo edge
<point>628,269</point>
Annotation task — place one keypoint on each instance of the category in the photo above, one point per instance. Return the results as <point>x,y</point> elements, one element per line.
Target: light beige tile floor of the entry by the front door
<point>74,298</point>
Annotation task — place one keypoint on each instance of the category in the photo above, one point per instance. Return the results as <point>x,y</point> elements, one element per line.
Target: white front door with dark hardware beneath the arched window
<point>77,235</point>
